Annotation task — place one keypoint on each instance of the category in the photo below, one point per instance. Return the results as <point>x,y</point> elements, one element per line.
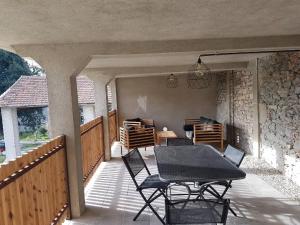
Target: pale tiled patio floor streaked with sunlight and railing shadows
<point>111,199</point>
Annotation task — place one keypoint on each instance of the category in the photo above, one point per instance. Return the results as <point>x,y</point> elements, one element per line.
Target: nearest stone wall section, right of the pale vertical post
<point>279,98</point>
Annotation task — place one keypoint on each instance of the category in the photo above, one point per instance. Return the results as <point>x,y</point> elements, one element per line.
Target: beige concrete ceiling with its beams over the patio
<point>131,37</point>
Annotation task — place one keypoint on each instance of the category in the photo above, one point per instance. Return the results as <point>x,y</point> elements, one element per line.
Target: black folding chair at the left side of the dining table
<point>135,164</point>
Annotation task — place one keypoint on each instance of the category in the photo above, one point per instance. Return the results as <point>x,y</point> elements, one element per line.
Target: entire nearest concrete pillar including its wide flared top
<point>62,64</point>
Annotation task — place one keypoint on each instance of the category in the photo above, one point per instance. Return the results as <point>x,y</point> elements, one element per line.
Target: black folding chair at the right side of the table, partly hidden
<point>235,156</point>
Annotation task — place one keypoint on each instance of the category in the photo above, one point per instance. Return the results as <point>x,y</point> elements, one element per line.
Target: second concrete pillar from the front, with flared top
<point>101,108</point>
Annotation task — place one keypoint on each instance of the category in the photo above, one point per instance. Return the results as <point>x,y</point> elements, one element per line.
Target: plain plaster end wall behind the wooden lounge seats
<point>148,97</point>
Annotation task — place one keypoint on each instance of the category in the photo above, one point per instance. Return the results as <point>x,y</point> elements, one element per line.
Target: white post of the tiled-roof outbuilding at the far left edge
<point>11,133</point>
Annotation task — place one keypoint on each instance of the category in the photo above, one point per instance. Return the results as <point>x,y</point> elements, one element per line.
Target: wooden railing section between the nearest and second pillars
<point>92,146</point>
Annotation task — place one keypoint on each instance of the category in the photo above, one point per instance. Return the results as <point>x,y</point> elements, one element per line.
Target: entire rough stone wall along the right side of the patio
<point>278,110</point>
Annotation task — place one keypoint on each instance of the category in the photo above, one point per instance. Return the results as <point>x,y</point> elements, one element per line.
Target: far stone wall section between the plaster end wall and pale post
<point>235,107</point>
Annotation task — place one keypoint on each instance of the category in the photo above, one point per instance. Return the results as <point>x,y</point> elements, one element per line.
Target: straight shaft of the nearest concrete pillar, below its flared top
<point>64,118</point>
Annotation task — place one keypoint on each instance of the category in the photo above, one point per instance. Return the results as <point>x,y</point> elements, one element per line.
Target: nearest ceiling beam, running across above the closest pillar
<point>202,46</point>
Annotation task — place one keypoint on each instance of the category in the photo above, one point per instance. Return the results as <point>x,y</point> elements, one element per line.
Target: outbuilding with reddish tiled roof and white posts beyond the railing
<point>32,92</point>
